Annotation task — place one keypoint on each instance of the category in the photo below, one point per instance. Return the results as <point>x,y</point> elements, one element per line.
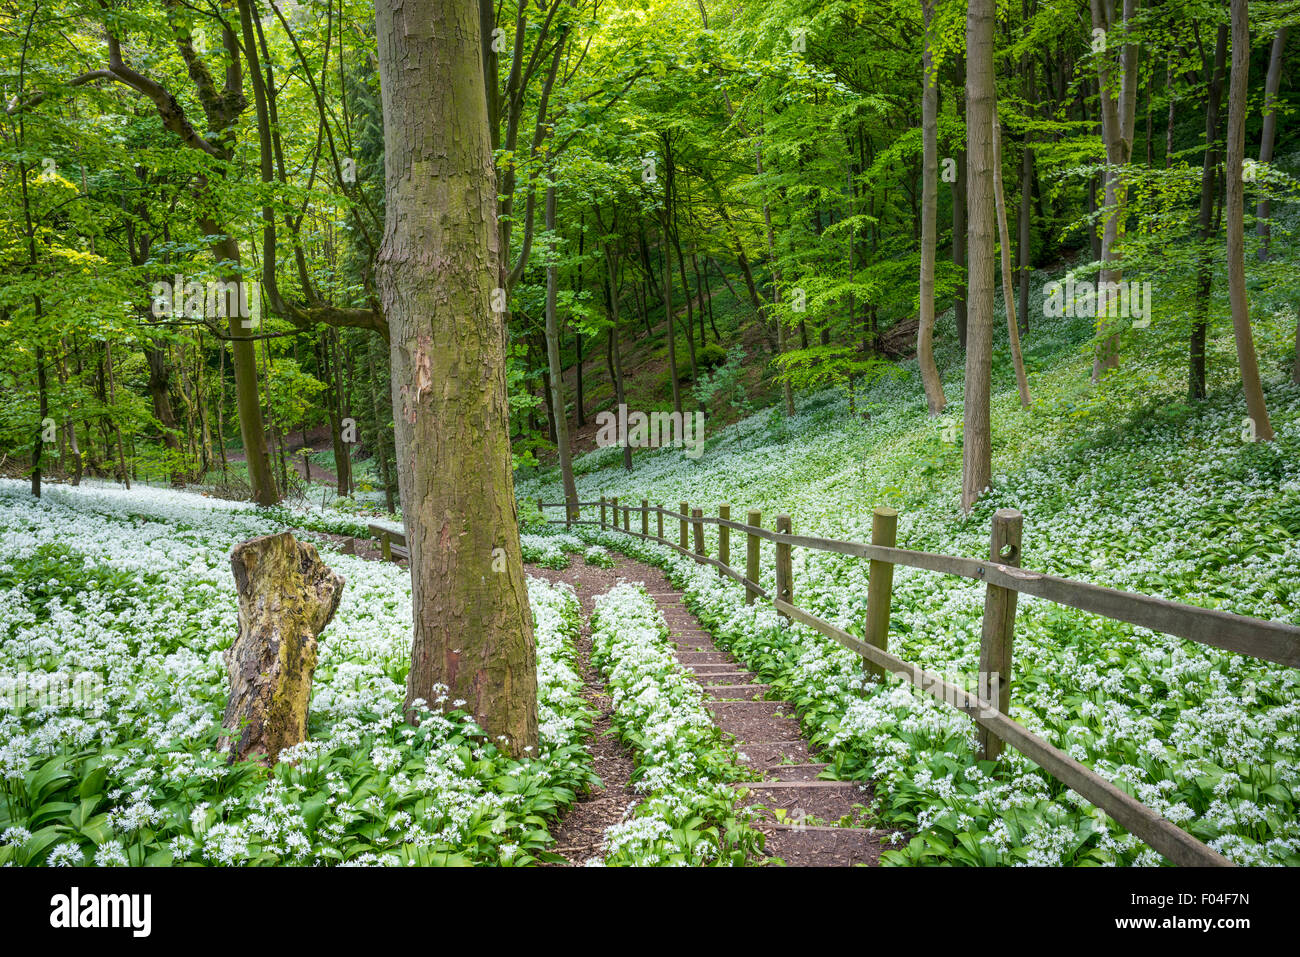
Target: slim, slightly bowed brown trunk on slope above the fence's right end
<point>1236,201</point>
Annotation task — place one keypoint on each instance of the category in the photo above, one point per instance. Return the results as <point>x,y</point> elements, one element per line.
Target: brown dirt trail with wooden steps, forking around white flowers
<point>799,811</point>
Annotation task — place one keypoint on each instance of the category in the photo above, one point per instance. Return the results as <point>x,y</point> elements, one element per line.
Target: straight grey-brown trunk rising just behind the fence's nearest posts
<point>981,98</point>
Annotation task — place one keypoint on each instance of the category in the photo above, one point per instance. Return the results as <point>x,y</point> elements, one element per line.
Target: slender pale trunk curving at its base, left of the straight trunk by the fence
<point>930,379</point>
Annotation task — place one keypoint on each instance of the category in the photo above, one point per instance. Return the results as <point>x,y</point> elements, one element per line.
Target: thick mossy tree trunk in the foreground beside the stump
<point>436,274</point>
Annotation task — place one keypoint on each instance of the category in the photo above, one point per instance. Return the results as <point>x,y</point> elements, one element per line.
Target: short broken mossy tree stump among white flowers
<point>287,599</point>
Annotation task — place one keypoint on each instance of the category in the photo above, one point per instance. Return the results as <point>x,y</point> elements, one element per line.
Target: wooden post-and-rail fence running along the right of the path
<point>1006,581</point>
